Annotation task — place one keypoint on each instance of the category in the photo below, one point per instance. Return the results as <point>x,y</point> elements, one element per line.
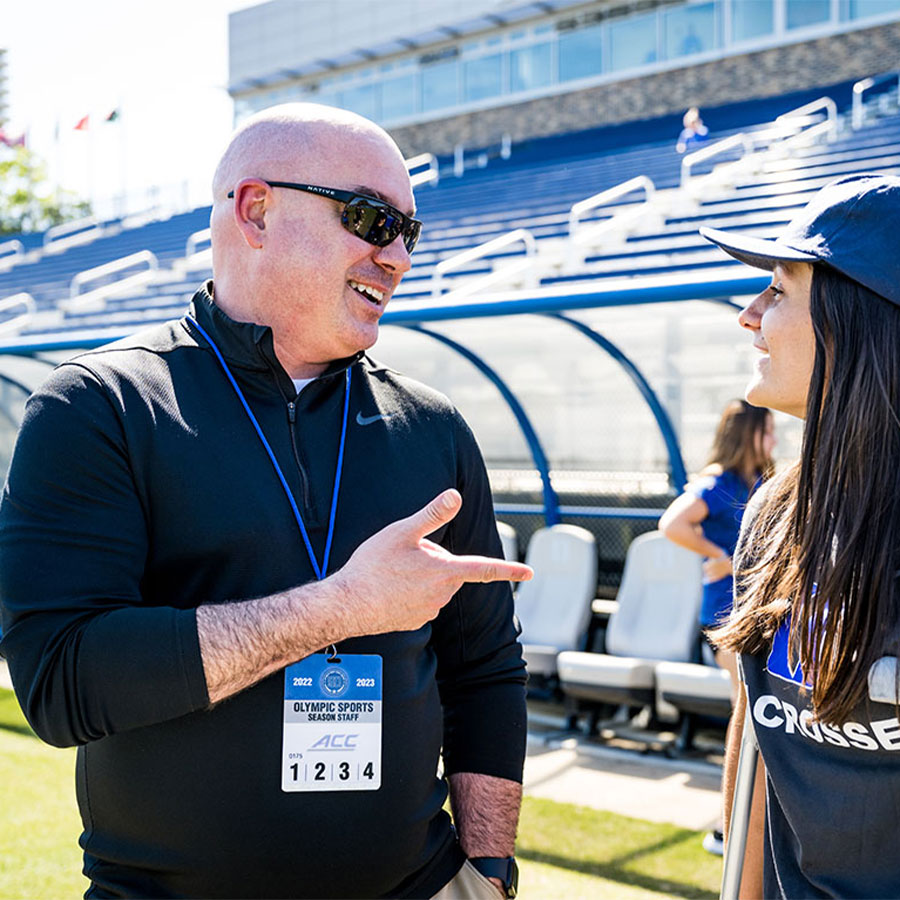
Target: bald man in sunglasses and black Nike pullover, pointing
<point>252,574</point>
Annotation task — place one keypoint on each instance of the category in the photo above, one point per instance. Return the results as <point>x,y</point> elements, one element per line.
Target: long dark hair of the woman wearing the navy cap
<point>824,547</point>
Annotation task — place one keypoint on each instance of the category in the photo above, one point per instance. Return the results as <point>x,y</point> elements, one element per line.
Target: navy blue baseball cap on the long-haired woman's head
<point>852,225</point>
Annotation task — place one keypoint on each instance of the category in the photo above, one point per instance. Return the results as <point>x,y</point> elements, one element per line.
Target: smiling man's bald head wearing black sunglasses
<point>286,258</point>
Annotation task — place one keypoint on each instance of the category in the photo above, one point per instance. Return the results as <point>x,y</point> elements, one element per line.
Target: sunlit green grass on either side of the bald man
<point>564,850</point>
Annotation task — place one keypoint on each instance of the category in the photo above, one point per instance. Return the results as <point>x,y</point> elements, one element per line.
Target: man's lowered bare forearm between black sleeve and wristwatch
<point>485,812</point>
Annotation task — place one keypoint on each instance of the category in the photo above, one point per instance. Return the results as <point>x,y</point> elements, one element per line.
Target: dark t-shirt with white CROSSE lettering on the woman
<point>832,794</point>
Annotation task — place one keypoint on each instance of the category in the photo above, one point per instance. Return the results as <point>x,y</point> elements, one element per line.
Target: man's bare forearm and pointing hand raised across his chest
<point>397,580</point>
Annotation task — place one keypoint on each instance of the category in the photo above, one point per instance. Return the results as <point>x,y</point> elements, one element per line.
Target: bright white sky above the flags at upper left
<point>163,64</point>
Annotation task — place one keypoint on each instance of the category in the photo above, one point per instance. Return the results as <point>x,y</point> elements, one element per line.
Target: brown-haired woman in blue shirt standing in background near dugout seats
<point>706,518</point>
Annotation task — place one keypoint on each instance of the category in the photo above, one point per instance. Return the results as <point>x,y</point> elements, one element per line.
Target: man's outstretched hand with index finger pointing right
<point>398,580</point>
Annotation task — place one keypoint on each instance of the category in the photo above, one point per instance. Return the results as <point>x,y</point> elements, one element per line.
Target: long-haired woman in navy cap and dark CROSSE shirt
<point>817,611</point>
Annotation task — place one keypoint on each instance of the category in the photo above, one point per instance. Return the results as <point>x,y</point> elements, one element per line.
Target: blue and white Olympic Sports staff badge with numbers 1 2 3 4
<point>332,724</point>
